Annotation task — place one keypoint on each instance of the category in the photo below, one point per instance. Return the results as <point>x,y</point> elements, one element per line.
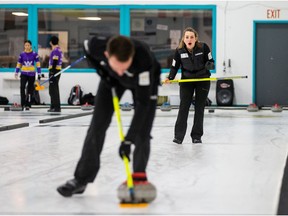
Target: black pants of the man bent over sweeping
<point>89,163</point>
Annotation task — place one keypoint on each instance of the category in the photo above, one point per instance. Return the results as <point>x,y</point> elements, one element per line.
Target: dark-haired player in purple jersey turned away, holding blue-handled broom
<point>55,66</point>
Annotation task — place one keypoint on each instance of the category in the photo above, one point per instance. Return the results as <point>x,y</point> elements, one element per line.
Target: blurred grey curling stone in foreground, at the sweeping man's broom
<point>144,192</point>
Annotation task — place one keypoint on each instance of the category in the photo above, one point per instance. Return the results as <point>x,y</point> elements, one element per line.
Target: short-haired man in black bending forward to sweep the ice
<point>122,63</point>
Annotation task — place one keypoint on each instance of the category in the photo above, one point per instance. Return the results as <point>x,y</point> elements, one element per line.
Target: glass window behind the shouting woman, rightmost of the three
<point>162,29</point>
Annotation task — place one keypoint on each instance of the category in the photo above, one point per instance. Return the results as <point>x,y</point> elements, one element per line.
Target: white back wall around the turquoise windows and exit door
<point>234,41</point>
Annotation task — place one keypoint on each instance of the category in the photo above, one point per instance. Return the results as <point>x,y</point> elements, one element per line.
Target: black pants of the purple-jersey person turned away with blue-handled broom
<point>54,92</point>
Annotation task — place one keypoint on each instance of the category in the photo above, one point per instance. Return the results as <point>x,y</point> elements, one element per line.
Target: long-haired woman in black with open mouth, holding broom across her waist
<point>195,59</point>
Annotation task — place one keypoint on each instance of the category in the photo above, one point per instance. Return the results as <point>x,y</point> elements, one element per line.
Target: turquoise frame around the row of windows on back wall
<point>125,20</point>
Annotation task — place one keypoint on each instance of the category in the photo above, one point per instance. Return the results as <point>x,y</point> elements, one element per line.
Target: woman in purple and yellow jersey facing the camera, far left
<point>26,66</point>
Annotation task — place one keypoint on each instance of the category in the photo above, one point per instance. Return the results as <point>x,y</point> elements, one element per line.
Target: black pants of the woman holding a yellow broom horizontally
<point>187,90</point>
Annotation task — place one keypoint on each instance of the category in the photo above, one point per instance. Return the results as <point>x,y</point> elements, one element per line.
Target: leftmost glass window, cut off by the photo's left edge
<point>13,33</point>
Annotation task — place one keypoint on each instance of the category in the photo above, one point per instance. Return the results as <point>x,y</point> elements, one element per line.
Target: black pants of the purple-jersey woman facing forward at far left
<point>26,99</point>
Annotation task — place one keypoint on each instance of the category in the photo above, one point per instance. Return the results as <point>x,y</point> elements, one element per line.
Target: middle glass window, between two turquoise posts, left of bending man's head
<point>73,26</point>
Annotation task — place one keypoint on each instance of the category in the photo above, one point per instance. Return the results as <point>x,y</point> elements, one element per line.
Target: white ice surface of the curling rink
<point>237,170</point>
